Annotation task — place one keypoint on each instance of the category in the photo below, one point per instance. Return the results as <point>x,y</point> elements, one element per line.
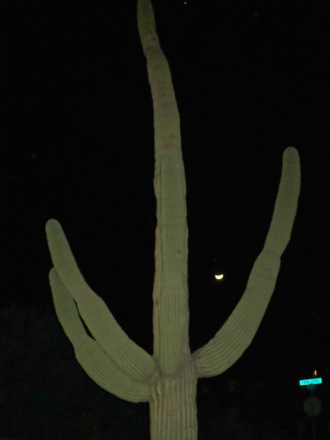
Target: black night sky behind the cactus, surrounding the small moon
<point>77,145</point>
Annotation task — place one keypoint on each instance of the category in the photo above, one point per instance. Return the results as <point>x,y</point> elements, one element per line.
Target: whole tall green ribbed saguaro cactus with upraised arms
<point>167,379</point>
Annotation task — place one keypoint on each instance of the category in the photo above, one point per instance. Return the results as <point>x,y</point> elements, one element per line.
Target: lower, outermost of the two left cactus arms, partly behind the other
<point>95,361</point>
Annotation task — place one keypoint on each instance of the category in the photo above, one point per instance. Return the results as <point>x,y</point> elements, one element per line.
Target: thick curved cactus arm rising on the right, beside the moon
<point>237,333</point>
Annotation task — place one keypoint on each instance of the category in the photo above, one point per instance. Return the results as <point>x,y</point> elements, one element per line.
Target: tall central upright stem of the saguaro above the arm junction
<point>170,293</point>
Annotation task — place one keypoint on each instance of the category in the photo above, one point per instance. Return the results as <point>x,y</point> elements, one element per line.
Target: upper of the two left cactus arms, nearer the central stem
<point>128,356</point>
